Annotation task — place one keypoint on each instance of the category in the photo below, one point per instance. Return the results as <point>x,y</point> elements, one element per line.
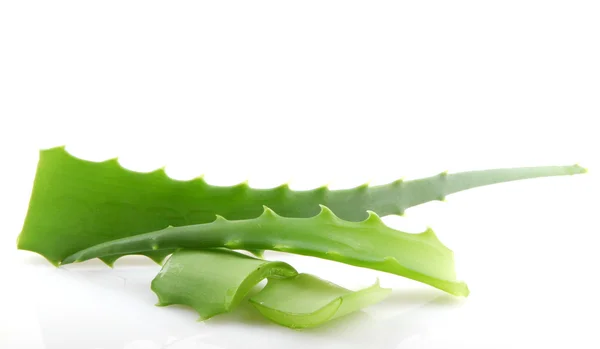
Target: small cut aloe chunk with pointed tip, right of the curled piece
<point>305,301</point>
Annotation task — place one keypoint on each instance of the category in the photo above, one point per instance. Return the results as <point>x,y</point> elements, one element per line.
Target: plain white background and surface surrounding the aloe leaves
<point>316,92</point>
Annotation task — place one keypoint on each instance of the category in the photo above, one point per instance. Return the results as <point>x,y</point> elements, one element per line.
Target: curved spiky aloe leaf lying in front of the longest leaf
<point>369,243</point>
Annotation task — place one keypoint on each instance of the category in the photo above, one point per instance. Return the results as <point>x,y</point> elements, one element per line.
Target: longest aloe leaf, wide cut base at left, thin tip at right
<point>76,203</point>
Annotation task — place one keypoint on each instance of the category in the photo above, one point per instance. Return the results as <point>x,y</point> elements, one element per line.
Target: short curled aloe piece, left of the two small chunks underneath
<point>212,281</point>
